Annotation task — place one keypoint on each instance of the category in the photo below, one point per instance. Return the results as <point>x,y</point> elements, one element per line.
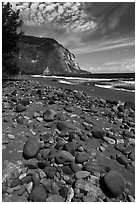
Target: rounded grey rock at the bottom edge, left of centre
<point>38,194</point>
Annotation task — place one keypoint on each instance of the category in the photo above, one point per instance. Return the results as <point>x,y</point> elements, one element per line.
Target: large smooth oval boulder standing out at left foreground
<point>31,148</point>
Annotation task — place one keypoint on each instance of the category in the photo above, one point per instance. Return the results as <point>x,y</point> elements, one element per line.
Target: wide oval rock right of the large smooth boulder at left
<point>63,156</point>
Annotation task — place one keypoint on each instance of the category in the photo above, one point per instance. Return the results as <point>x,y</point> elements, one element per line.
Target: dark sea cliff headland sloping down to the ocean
<point>45,56</point>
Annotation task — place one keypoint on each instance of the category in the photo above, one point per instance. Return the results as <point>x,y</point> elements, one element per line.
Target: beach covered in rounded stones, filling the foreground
<point>67,143</point>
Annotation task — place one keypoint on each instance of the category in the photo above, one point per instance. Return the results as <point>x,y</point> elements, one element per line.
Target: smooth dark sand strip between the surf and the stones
<point>94,91</point>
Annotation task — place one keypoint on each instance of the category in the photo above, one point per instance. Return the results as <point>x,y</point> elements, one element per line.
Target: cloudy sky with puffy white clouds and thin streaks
<point>101,35</point>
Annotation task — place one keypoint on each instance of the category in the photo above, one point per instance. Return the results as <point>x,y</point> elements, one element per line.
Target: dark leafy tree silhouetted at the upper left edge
<point>11,31</point>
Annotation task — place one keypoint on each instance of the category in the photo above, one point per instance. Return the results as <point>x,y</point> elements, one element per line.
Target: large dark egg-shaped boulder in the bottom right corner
<point>114,183</point>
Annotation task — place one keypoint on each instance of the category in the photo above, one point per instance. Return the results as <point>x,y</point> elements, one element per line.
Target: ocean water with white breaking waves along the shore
<point>123,82</point>
